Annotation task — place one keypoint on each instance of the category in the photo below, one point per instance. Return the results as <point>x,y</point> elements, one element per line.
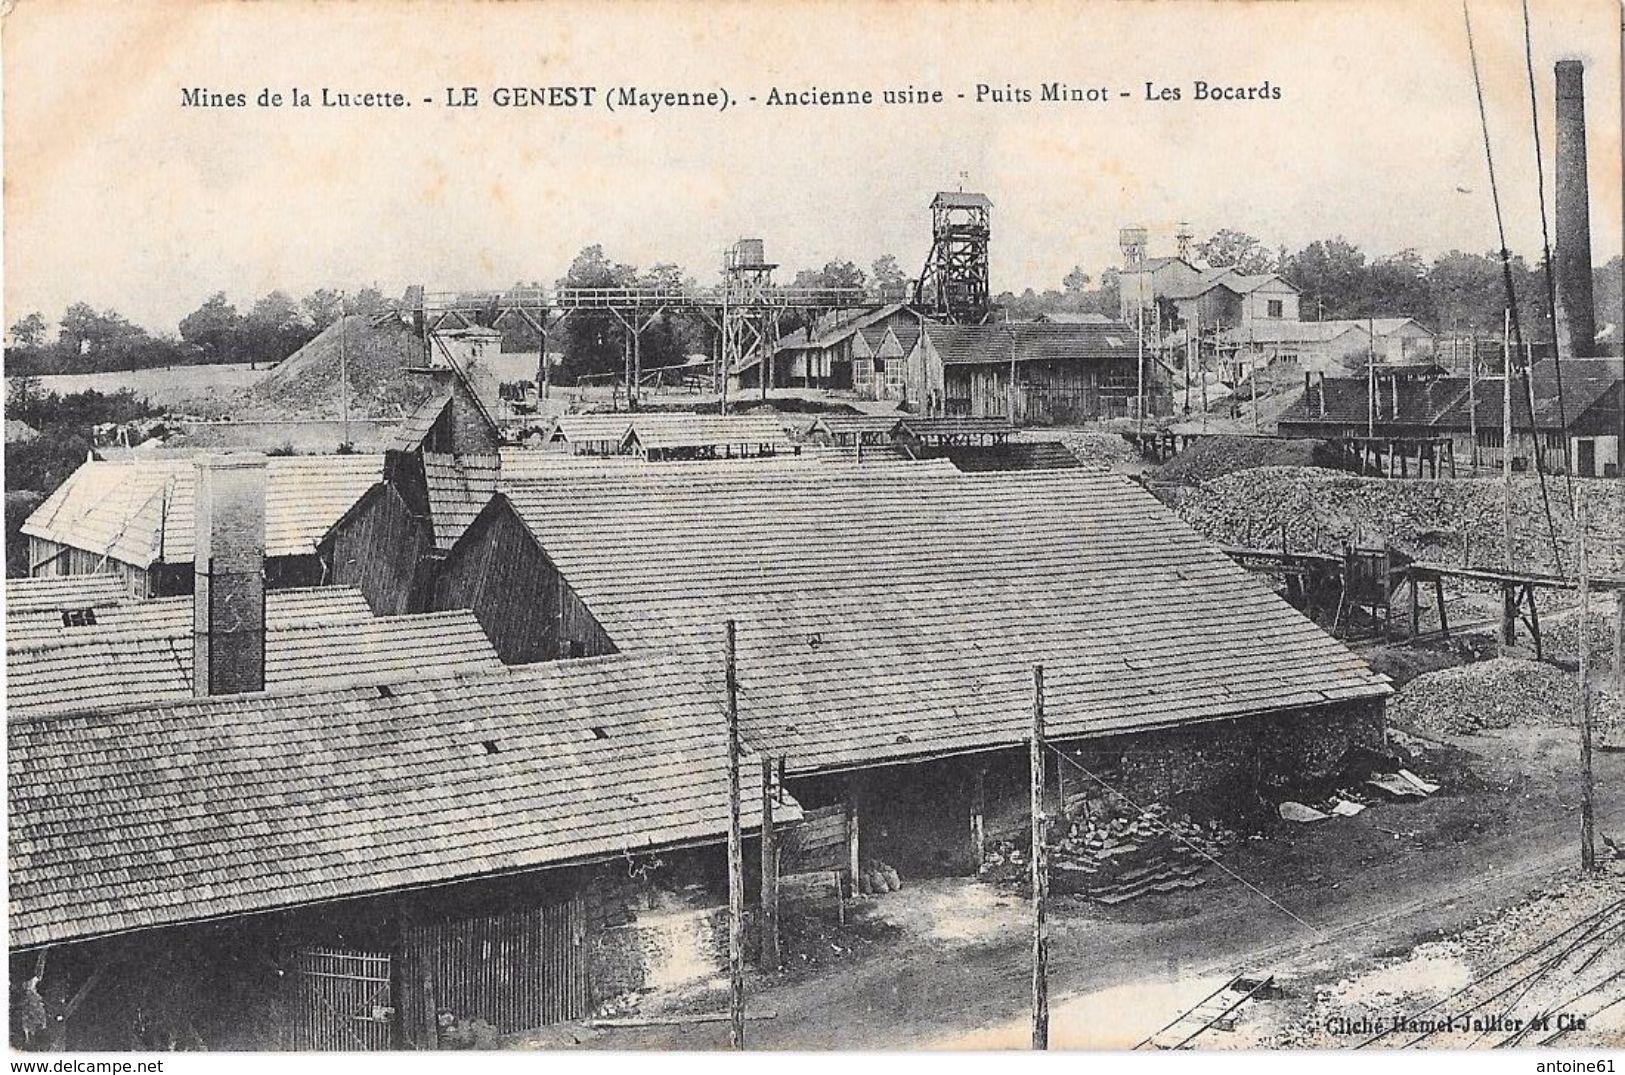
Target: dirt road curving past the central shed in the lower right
<point>1363,887</point>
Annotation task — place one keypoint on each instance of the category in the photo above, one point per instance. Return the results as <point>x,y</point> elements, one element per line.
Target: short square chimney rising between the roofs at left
<point>228,571</point>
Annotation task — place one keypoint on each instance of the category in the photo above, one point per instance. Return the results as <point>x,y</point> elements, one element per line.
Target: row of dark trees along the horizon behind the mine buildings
<point>1455,291</point>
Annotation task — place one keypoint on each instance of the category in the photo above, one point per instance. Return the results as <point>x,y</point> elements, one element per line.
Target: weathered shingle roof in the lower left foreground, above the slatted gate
<point>228,806</point>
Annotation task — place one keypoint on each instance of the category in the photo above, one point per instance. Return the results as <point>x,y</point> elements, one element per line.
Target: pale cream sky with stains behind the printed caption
<point>121,197</point>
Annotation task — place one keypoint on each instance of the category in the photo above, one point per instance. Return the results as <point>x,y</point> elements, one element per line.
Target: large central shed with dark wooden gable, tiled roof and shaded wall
<point>890,620</point>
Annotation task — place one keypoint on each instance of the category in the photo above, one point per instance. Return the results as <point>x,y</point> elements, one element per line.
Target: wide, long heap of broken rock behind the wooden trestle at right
<point>1426,519</point>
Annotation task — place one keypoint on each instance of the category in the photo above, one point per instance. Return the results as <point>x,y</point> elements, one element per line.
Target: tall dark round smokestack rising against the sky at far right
<point>1577,322</point>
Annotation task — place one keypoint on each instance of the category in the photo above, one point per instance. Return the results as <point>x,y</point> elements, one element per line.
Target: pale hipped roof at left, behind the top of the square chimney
<point>142,511</point>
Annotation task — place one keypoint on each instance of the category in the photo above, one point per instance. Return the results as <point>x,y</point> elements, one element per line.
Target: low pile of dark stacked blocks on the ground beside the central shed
<point>1119,858</point>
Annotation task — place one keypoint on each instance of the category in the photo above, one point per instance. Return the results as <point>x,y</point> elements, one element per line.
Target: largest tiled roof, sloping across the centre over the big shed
<point>896,611</point>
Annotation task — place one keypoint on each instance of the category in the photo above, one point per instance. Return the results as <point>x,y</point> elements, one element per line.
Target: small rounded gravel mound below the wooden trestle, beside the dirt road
<point>1504,693</point>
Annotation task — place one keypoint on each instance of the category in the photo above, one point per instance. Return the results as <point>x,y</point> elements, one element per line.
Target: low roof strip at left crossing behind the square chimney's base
<point>152,662</point>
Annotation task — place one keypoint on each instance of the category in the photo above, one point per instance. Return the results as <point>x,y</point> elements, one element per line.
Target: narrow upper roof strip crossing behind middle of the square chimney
<point>173,616</point>
